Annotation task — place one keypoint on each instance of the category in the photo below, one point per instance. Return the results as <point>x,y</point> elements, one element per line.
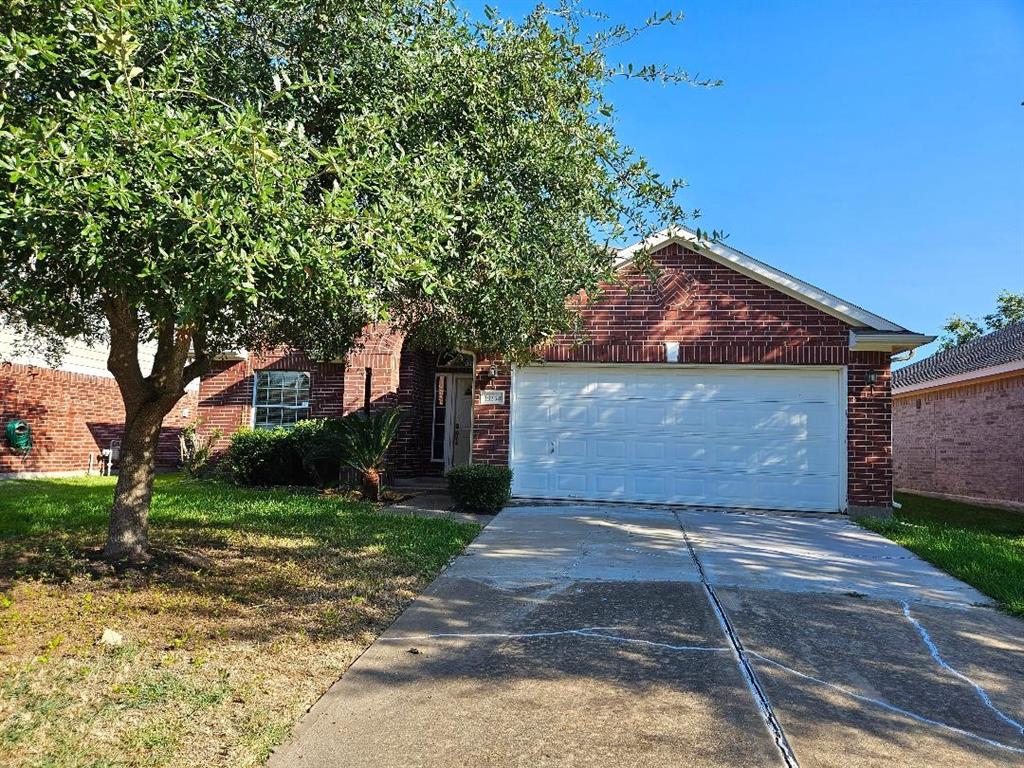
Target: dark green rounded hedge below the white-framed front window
<point>307,455</point>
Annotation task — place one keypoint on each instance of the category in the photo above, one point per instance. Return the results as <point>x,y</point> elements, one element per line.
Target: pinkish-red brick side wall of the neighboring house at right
<point>967,441</point>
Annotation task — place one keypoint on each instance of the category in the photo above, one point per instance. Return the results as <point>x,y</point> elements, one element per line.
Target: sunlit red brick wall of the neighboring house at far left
<point>73,417</point>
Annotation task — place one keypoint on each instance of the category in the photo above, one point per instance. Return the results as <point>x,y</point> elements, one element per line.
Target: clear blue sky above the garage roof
<point>873,149</point>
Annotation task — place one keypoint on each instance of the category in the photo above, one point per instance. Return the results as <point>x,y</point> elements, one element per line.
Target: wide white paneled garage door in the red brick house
<point>731,438</point>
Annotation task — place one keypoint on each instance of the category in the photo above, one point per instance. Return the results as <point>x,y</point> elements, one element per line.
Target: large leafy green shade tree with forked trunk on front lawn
<point>200,178</point>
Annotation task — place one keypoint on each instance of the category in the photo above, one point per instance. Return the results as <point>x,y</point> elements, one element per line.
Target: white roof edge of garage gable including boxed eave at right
<point>869,331</point>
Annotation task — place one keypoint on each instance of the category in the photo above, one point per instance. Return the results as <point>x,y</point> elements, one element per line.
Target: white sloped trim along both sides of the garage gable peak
<point>762,273</point>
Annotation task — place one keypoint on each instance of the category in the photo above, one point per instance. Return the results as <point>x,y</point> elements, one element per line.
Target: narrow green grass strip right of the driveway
<point>984,547</point>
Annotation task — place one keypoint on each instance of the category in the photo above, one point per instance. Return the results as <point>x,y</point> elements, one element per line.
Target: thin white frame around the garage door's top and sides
<point>843,405</point>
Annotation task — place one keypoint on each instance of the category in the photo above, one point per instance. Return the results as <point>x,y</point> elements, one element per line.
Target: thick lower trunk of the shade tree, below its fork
<point>129,537</point>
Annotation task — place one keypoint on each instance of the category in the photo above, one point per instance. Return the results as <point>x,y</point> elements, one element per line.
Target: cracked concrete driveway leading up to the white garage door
<point>624,636</point>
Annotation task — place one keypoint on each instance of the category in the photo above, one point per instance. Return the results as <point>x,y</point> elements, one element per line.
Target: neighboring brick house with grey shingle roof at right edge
<point>959,421</point>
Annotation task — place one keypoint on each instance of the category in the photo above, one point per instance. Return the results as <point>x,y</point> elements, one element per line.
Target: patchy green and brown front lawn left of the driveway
<point>259,603</point>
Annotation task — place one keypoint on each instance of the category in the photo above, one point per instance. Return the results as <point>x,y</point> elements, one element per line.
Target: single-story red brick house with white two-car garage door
<point>727,382</point>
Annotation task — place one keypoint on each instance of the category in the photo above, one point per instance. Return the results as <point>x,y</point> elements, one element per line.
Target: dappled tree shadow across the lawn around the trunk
<point>244,565</point>
